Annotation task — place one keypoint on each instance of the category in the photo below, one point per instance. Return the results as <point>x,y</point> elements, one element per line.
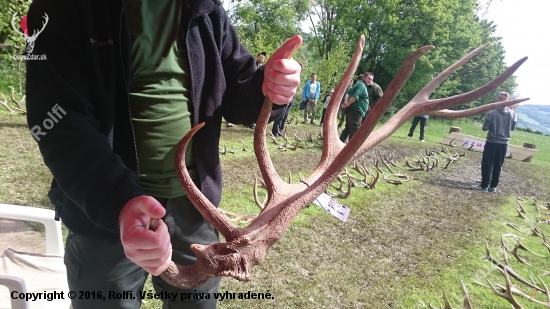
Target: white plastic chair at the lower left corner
<point>24,272</point>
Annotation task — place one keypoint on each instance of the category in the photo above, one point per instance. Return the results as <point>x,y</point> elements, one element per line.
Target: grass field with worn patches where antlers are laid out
<point>401,244</point>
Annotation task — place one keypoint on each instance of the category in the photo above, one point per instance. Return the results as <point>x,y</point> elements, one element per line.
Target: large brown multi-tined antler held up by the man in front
<point>247,246</point>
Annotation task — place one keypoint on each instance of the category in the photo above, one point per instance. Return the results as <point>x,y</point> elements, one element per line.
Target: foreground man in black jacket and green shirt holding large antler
<point>107,108</point>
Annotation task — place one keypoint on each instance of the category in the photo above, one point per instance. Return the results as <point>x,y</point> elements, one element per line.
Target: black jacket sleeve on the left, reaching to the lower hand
<point>63,120</point>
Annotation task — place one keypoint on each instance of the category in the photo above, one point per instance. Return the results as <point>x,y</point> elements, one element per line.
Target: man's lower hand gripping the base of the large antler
<point>151,250</point>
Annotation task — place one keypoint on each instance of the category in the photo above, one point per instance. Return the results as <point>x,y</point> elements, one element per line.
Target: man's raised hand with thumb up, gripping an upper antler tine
<point>281,75</point>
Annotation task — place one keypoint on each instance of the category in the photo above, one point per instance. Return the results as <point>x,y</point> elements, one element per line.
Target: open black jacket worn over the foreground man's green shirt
<point>78,106</point>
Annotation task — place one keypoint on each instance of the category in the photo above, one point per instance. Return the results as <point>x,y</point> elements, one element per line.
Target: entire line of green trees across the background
<point>393,29</point>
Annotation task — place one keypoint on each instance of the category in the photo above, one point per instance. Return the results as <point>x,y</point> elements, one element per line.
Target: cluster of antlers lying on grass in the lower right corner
<point>508,290</point>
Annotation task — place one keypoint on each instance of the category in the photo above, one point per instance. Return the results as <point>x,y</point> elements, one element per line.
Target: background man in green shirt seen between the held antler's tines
<point>356,108</point>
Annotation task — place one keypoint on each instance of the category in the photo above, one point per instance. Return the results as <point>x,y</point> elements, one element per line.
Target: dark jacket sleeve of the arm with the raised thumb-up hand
<point>243,97</point>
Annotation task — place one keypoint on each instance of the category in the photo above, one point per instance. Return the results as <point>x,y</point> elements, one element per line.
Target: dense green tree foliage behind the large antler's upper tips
<point>395,28</point>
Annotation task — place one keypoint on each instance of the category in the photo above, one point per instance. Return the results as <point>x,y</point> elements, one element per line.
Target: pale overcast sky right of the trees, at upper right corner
<point>525,30</point>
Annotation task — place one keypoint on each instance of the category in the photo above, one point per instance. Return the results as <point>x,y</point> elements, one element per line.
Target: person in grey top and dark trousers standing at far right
<point>499,123</point>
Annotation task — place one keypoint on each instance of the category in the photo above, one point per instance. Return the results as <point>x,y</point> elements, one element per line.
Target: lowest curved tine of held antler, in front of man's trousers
<point>203,205</point>
